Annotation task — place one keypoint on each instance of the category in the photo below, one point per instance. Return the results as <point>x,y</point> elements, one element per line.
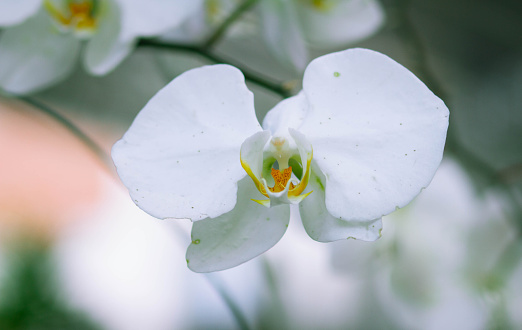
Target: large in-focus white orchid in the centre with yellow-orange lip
<point>362,139</point>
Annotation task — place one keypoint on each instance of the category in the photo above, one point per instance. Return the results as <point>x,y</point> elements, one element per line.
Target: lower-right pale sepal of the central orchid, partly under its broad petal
<point>323,227</point>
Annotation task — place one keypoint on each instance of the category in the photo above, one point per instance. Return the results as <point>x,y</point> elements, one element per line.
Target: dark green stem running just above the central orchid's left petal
<point>250,75</point>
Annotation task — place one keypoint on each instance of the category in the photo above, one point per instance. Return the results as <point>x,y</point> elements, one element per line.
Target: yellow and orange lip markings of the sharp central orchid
<point>282,179</point>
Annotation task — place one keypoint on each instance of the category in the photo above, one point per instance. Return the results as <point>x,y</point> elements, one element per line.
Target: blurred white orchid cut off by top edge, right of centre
<point>290,26</point>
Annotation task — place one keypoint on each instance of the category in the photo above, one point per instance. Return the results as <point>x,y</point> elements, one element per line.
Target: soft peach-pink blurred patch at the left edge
<point>47,175</point>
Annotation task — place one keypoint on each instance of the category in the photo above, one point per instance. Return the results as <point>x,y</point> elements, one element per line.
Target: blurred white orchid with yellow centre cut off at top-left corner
<point>44,38</point>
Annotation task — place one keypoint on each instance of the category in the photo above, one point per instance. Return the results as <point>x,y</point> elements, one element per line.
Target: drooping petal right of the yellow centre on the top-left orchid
<point>105,50</point>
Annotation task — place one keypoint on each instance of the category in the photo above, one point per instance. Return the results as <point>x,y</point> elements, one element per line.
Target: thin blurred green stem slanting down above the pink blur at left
<point>75,130</point>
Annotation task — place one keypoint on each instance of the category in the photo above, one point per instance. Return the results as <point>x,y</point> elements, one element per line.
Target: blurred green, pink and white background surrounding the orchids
<point>76,253</point>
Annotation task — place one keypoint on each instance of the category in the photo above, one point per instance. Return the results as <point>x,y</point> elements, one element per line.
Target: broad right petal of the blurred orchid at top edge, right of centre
<point>340,22</point>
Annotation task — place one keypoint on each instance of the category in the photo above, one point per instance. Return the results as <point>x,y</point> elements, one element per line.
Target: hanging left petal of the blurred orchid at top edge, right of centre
<point>282,34</point>
